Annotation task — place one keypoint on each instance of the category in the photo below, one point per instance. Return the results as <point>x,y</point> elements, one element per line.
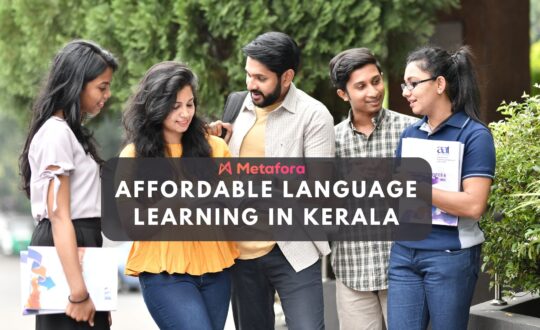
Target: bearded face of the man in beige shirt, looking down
<point>264,86</point>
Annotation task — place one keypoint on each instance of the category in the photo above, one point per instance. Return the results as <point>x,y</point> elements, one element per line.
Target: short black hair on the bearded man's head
<point>276,50</point>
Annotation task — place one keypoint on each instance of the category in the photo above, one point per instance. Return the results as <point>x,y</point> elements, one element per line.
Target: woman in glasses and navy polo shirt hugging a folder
<point>434,279</point>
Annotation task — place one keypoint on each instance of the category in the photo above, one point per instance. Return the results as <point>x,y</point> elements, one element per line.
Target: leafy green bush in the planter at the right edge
<point>511,225</point>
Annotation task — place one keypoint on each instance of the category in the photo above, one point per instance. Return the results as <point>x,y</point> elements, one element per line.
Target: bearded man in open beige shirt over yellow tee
<point>278,120</point>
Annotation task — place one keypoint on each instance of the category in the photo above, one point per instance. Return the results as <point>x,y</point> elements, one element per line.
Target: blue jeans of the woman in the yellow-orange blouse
<point>183,301</point>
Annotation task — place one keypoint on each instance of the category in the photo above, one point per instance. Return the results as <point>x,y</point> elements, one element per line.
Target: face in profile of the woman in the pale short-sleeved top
<point>96,93</point>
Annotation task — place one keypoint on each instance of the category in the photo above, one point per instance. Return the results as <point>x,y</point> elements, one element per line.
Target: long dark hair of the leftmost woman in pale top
<point>79,62</point>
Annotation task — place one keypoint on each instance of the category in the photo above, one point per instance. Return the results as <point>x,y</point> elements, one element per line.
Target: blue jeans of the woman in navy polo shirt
<point>436,285</point>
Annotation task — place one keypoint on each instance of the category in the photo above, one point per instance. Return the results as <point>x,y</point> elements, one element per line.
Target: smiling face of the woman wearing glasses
<point>424,96</point>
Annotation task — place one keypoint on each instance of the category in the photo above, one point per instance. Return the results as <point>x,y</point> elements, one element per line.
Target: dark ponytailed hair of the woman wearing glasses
<point>458,70</point>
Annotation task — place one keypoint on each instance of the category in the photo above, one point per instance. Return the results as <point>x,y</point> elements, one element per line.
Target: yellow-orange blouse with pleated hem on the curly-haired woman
<point>194,258</point>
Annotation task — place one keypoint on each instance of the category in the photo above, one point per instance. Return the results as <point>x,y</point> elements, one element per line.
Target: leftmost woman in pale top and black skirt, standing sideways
<point>60,171</point>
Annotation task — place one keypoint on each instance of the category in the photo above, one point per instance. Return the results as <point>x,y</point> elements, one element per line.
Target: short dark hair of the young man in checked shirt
<point>346,62</point>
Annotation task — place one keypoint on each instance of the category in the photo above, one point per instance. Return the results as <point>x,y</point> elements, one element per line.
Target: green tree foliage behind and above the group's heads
<point>206,34</point>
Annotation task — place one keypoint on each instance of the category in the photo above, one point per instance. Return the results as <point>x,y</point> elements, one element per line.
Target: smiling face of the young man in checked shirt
<point>364,90</point>
